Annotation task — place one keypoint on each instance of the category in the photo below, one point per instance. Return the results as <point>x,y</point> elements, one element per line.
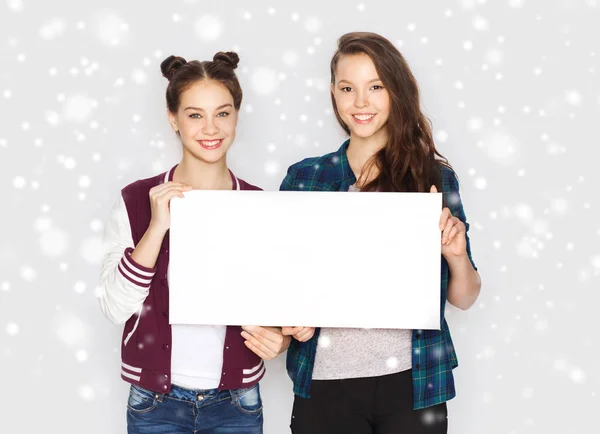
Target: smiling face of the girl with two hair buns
<point>206,121</point>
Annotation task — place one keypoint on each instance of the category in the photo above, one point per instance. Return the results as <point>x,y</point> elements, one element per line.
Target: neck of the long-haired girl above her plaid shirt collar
<point>360,150</point>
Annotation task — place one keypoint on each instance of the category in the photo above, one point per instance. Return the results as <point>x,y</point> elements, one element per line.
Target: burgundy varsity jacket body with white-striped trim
<point>146,344</point>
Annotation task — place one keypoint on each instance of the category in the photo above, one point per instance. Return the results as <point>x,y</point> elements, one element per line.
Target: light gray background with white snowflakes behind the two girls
<point>510,85</point>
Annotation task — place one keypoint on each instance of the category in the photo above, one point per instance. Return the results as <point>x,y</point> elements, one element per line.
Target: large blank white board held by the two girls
<point>323,259</point>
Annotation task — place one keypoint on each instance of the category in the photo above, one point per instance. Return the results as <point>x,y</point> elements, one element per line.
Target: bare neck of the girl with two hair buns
<point>202,175</point>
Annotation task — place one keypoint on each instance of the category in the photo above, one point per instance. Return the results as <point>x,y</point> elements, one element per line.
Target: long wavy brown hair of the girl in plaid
<point>409,161</point>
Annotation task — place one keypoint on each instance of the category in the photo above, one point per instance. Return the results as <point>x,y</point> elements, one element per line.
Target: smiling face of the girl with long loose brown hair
<point>362,101</point>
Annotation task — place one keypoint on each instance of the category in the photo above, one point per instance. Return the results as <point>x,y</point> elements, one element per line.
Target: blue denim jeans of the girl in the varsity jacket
<point>188,411</point>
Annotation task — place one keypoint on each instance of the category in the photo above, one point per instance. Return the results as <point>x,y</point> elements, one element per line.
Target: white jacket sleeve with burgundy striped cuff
<point>124,284</point>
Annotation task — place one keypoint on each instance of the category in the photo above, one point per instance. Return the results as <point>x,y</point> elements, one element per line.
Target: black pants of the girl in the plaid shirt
<point>376,405</point>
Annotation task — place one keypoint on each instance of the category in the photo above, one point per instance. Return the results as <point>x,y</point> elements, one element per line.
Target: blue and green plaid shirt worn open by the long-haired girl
<point>433,351</point>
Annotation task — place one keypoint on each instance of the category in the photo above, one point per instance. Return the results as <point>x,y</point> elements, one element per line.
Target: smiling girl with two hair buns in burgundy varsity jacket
<point>184,378</point>
